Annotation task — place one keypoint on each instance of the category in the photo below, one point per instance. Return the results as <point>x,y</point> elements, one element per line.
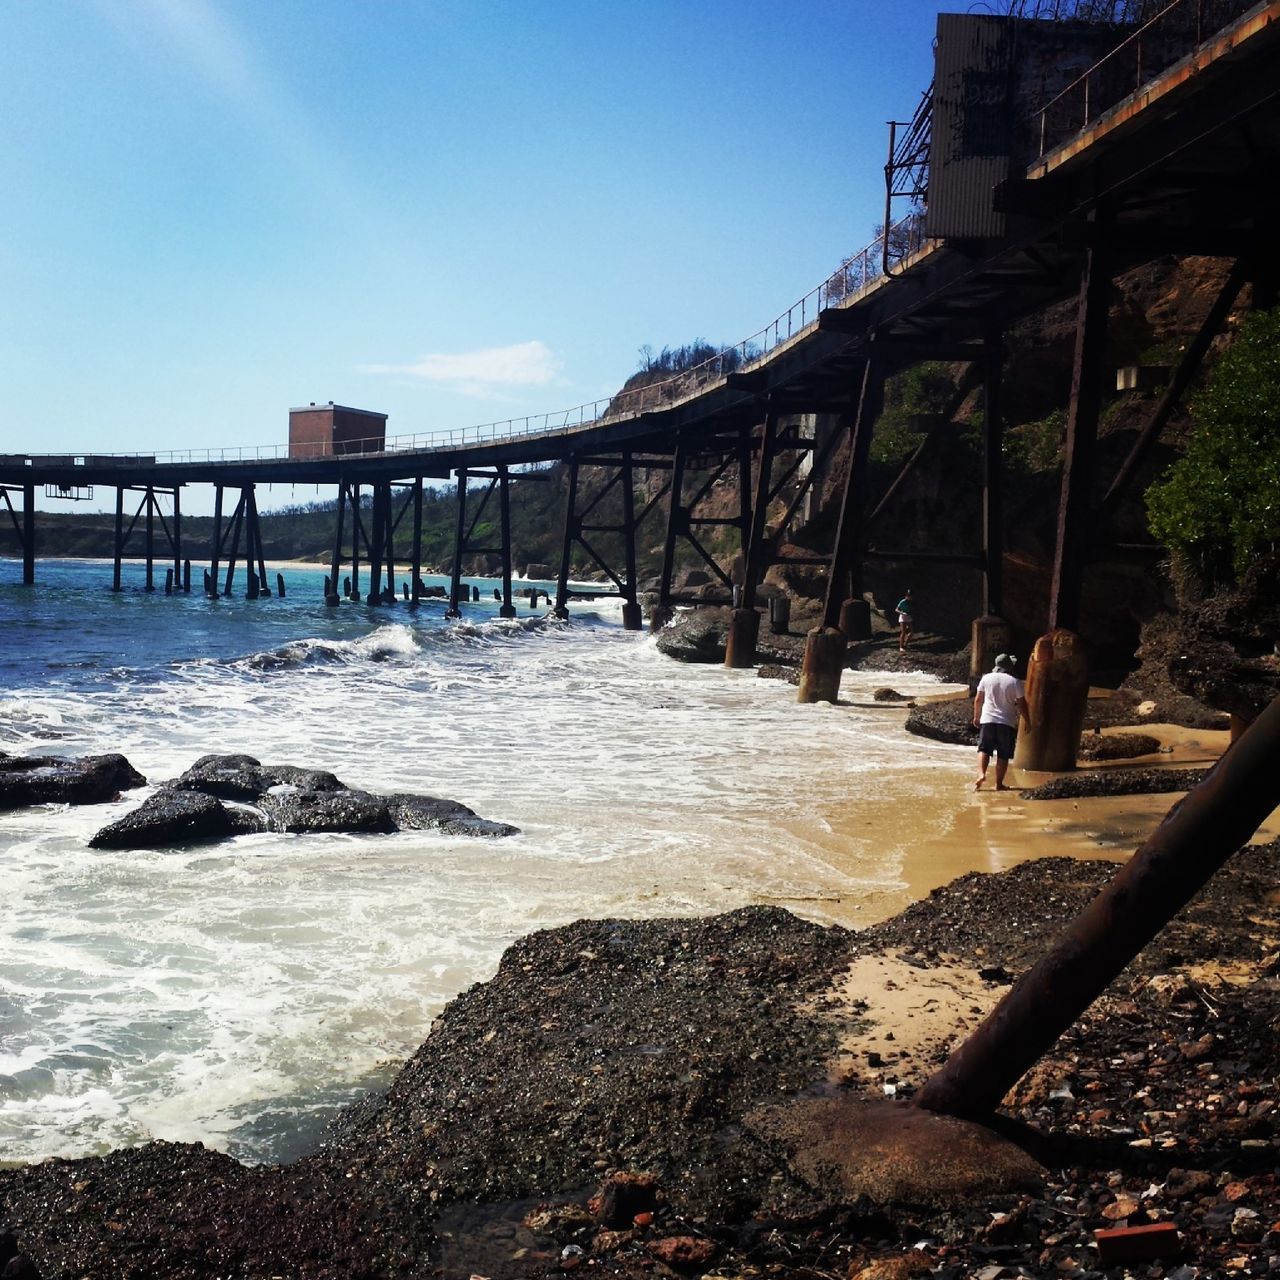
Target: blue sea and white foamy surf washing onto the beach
<point>239,994</point>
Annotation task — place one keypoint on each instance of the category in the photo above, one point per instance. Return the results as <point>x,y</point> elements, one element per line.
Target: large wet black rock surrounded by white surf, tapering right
<point>232,796</point>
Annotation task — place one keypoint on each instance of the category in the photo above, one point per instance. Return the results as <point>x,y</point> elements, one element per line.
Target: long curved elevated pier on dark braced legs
<point>1062,143</point>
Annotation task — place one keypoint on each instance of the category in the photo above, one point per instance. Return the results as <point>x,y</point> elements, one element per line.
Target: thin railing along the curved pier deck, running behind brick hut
<point>854,276</point>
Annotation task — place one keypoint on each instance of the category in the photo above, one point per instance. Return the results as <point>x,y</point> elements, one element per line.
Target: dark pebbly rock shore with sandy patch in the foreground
<point>610,1101</point>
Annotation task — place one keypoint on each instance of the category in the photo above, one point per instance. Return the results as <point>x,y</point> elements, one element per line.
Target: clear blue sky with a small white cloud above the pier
<point>451,212</point>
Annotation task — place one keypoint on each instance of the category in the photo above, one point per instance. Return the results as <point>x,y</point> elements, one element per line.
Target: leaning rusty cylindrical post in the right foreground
<point>1196,839</point>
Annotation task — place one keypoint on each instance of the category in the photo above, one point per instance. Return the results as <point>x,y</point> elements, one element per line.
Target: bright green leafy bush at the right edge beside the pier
<point>1220,504</point>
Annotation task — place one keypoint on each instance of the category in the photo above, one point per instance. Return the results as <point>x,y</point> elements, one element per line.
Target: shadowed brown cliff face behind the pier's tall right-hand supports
<point>1155,313</point>
